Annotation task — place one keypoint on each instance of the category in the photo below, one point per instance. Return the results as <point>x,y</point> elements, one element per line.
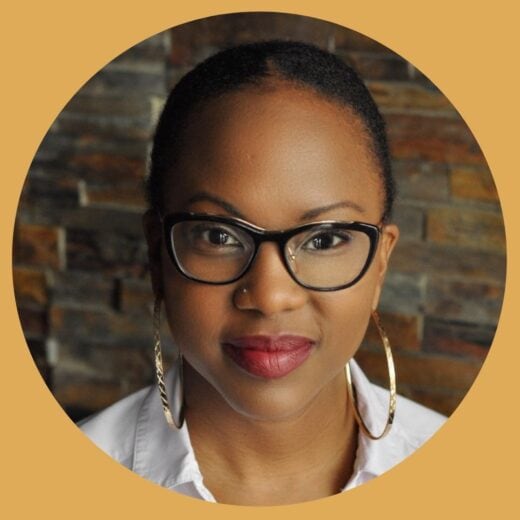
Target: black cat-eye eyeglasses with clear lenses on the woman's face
<point>322,256</point>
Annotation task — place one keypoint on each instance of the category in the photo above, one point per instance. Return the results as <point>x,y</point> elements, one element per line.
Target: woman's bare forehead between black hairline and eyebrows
<point>275,153</point>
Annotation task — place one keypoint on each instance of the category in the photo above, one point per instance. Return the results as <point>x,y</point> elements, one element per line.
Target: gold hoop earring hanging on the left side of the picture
<point>173,419</point>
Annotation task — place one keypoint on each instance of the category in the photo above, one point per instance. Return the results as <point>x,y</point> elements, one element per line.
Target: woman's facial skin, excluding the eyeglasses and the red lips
<point>272,155</point>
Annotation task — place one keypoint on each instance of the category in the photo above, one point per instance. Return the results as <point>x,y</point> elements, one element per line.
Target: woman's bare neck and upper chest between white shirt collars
<point>313,450</point>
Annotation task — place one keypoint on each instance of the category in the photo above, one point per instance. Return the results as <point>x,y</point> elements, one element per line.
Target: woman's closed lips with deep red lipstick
<point>269,357</point>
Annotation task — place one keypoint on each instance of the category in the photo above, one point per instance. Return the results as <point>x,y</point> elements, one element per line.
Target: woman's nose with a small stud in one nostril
<point>270,289</point>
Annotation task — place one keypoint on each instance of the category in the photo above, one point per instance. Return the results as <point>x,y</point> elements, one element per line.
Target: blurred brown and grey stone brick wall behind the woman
<point>80,270</point>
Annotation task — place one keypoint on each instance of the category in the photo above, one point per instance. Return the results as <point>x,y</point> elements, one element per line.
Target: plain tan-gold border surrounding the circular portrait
<point>468,469</point>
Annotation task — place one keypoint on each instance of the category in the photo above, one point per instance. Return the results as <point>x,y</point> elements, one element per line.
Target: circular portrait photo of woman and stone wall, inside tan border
<point>259,258</point>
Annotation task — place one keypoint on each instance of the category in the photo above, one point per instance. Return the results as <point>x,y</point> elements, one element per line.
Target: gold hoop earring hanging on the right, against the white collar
<point>392,379</point>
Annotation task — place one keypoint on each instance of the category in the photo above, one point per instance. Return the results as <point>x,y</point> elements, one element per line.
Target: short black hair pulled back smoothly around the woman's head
<point>253,64</point>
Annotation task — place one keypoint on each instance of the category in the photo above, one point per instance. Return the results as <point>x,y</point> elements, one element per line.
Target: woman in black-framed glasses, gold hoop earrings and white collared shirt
<point>269,237</point>
